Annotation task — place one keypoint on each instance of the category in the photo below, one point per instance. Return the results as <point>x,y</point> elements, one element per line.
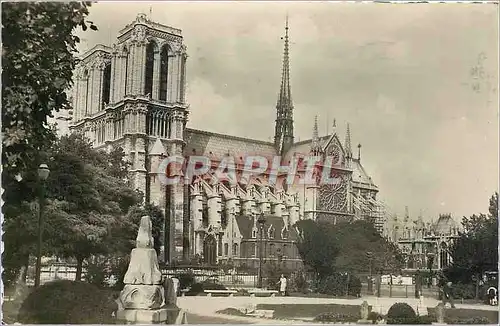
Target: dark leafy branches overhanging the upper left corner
<point>37,61</point>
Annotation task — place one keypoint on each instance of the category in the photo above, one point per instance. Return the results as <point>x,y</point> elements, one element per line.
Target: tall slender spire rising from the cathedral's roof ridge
<point>283,138</point>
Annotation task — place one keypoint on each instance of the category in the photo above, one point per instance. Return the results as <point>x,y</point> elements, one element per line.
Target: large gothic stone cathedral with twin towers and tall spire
<point>133,95</point>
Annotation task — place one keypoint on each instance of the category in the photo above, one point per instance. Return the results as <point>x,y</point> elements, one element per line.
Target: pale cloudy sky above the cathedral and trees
<point>416,82</point>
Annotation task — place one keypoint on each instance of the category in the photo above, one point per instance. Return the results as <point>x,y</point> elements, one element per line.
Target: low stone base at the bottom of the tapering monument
<point>169,315</point>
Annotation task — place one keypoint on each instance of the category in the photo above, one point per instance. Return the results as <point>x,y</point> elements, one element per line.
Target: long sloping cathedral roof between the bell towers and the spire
<point>200,142</point>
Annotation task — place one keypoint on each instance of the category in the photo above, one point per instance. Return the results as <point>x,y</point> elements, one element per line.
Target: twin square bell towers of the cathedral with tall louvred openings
<point>132,95</point>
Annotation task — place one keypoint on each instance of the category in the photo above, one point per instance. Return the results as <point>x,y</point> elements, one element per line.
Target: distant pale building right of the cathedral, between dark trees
<point>422,242</point>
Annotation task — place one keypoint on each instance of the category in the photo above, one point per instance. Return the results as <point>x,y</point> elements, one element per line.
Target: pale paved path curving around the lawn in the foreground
<point>207,306</point>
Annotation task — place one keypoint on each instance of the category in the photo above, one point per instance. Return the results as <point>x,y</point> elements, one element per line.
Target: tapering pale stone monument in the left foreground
<point>146,298</point>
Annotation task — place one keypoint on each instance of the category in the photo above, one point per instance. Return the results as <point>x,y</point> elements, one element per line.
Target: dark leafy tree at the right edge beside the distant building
<point>476,249</point>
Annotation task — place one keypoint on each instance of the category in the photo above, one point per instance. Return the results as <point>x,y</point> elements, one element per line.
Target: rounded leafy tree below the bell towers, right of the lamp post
<point>93,202</point>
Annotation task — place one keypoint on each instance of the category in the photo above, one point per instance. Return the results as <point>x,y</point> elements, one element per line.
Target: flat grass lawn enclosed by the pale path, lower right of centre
<point>284,311</point>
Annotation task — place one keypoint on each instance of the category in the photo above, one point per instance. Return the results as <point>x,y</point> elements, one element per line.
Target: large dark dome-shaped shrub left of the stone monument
<point>68,302</point>
